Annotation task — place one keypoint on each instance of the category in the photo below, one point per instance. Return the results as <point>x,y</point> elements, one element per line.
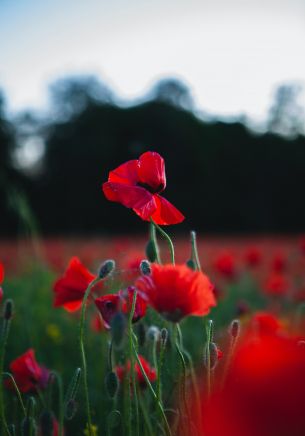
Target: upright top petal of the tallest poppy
<point>151,171</point>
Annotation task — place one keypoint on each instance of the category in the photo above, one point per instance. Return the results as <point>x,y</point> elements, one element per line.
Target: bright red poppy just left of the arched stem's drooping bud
<point>70,289</point>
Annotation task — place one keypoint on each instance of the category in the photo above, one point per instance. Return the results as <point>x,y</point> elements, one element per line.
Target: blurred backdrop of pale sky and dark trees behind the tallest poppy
<point>217,88</point>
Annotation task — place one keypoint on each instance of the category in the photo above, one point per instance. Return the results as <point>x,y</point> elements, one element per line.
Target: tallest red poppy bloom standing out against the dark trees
<point>137,184</point>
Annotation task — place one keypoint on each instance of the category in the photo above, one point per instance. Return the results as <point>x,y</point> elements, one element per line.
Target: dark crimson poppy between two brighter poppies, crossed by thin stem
<point>109,305</point>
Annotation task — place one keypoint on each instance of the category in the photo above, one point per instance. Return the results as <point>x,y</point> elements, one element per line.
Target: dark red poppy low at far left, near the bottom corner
<point>28,374</point>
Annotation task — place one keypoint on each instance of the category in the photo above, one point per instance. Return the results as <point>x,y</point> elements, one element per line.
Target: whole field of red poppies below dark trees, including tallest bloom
<point>161,334</point>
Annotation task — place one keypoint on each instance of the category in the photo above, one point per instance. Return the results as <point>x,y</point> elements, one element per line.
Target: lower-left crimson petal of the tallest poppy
<point>134,197</point>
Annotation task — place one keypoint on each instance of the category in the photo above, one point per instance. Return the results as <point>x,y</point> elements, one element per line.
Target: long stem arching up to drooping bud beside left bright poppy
<point>83,355</point>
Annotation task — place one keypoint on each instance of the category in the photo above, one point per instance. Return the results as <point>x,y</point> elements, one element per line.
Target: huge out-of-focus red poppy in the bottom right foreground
<point>263,394</point>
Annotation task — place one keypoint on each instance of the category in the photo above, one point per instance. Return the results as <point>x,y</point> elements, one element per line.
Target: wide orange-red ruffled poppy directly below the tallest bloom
<point>177,291</point>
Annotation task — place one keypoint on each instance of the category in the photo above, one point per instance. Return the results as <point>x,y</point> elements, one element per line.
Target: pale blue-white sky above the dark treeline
<point>232,54</point>
